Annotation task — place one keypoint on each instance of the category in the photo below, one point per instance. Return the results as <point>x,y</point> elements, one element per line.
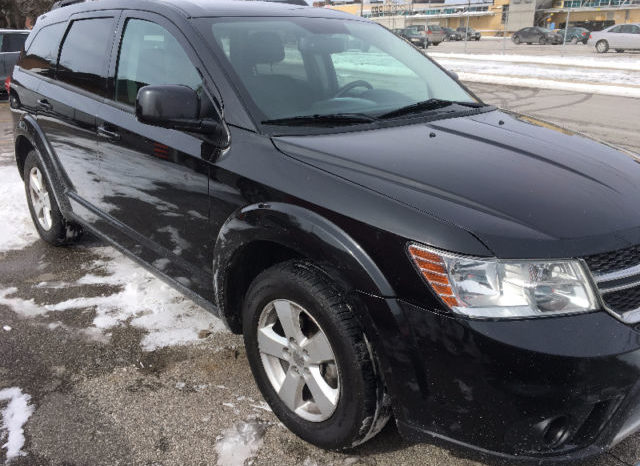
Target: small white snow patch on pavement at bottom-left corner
<point>14,416</point>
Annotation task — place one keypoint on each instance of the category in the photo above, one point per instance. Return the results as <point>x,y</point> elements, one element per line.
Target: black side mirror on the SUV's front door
<point>177,107</point>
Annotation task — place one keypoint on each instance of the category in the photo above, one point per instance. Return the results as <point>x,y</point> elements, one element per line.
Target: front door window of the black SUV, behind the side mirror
<point>150,55</point>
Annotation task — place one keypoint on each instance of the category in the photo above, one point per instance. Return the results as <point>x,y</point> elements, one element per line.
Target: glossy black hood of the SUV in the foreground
<point>524,187</point>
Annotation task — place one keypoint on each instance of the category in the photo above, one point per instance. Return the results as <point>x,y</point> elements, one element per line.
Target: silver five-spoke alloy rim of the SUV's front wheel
<point>298,360</point>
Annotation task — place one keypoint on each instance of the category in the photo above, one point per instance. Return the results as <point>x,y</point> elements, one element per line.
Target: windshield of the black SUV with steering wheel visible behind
<point>303,67</point>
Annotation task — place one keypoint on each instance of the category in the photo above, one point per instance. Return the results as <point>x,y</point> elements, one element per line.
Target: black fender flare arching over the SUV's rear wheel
<point>28,128</point>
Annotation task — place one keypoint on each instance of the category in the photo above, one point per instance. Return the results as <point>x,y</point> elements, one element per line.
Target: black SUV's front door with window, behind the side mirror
<point>154,181</point>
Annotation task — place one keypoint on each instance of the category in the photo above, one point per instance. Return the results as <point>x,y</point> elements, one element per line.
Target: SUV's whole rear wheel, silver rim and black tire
<point>45,212</point>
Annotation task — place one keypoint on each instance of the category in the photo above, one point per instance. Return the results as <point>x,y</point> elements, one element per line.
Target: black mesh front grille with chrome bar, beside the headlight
<point>617,275</point>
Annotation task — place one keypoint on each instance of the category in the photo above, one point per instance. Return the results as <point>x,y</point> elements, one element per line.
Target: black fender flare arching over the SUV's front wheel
<point>308,234</point>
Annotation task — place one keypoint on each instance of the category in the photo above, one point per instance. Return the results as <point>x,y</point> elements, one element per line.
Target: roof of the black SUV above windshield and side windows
<point>205,8</point>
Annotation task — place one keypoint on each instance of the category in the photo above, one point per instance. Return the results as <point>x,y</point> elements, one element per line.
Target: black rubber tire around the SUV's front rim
<point>362,408</point>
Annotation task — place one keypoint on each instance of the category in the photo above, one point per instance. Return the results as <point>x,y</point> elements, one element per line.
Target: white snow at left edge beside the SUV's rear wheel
<point>17,230</point>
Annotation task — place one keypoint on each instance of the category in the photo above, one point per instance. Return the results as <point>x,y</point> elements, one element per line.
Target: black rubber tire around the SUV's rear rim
<point>60,232</point>
